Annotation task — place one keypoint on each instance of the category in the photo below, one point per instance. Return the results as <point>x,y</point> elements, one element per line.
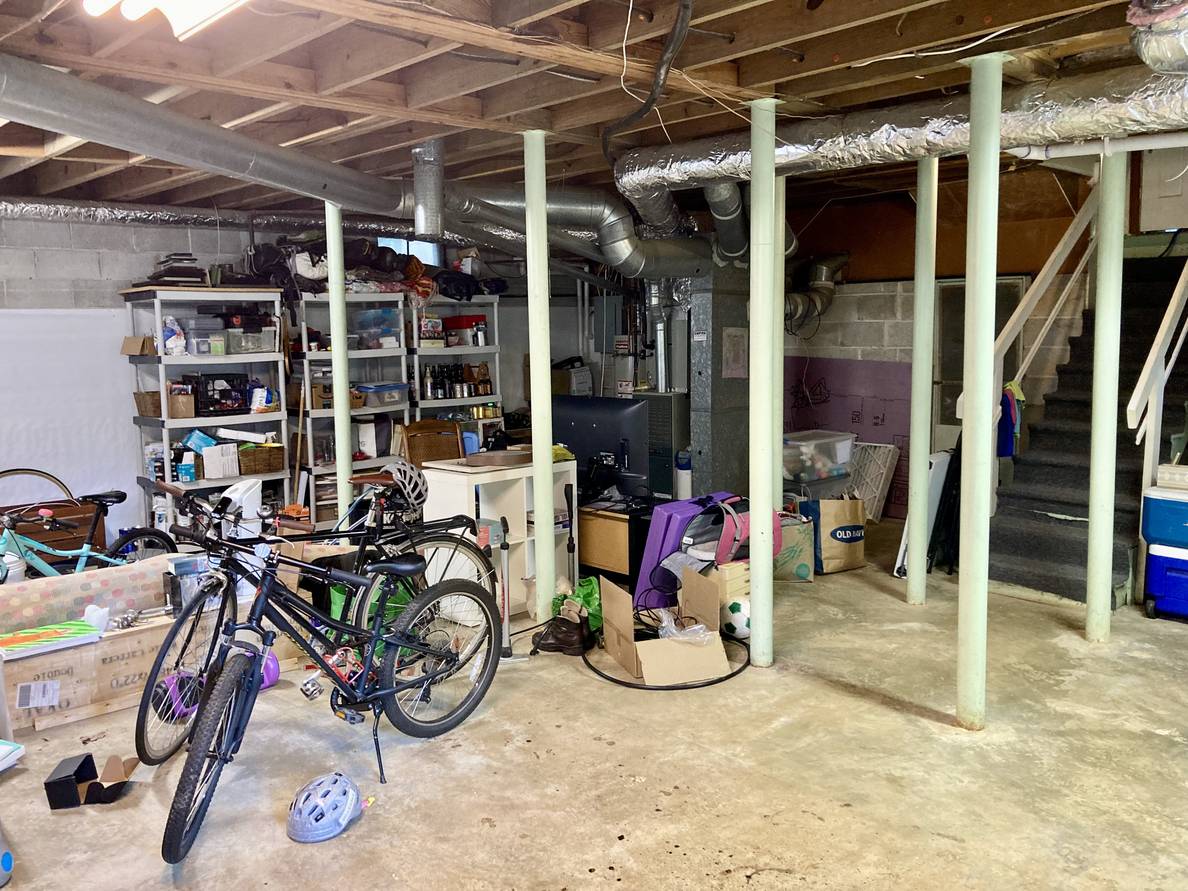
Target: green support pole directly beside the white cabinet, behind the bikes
<point>536,239</point>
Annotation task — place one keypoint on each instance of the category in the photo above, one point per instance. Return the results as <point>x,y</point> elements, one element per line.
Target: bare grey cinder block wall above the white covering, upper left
<point>52,266</point>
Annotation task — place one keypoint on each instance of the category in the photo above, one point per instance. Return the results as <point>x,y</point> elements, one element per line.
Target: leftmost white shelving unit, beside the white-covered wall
<point>148,308</point>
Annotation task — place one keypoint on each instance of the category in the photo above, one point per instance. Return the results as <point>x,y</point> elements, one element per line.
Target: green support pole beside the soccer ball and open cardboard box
<point>763,344</point>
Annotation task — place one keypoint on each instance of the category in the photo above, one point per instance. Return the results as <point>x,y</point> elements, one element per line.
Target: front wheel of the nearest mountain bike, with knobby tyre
<point>217,736</point>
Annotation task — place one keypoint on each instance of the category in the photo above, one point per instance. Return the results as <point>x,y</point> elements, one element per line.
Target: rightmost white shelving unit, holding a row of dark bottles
<point>483,305</point>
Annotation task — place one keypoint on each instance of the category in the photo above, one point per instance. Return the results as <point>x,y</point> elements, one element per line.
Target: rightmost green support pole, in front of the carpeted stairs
<point>1104,431</point>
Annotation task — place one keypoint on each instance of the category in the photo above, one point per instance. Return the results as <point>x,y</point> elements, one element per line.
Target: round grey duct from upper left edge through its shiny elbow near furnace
<point>41,97</point>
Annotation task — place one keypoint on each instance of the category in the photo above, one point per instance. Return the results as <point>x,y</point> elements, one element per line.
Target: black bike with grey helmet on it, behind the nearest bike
<point>174,688</point>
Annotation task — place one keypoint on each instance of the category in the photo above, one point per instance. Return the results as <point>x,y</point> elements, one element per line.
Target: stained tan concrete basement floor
<point>839,768</point>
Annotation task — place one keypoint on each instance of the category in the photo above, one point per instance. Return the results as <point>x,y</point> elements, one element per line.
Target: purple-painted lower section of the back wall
<point>869,399</point>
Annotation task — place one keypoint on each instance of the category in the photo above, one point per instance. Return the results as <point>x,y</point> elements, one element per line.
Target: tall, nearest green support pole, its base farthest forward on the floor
<point>978,425</point>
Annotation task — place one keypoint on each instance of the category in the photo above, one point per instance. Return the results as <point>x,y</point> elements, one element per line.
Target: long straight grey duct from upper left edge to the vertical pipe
<point>60,103</point>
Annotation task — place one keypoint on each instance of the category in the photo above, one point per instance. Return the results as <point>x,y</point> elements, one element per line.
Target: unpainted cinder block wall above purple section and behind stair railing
<point>875,321</point>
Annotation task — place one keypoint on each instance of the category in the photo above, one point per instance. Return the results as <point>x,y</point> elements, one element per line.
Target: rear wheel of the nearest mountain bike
<point>460,622</point>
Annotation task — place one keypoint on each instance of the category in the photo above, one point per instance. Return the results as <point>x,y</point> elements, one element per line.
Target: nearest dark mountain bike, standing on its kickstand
<point>426,665</point>
